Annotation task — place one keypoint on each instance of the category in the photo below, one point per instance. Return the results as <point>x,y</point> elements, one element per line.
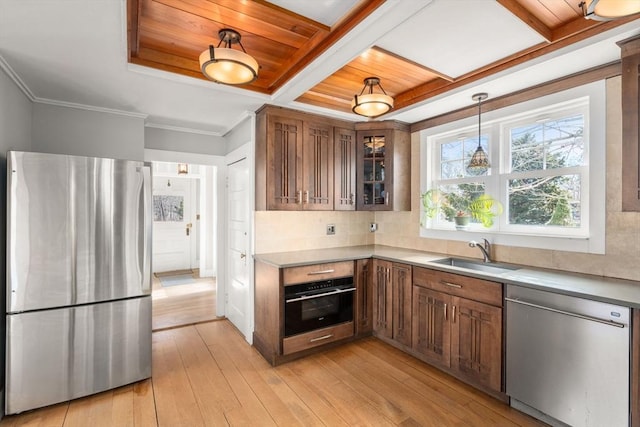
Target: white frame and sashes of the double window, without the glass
<point>590,238</point>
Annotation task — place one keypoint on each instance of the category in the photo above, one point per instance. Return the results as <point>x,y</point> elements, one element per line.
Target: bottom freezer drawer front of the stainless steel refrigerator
<point>61,354</point>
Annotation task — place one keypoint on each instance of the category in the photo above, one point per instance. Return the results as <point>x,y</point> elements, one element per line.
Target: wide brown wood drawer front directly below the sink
<point>455,284</point>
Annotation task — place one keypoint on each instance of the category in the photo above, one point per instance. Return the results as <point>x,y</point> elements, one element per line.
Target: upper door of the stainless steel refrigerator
<point>79,230</point>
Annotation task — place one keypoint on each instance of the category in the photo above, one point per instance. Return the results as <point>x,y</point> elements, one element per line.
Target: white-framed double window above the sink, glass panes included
<point>547,171</point>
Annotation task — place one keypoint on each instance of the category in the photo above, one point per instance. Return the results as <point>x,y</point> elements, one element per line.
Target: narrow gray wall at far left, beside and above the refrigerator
<point>15,134</point>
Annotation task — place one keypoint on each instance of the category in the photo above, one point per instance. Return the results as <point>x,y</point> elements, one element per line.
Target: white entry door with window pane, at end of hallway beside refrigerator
<point>173,230</point>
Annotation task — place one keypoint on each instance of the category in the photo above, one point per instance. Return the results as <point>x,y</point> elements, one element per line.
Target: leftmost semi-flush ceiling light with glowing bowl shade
<point>226,65</point>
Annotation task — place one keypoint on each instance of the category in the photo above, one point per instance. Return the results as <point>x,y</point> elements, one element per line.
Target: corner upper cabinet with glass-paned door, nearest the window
<point>383,166</point>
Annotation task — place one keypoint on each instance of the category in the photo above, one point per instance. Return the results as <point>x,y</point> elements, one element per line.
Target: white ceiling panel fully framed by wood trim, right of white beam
<point>454,37</point>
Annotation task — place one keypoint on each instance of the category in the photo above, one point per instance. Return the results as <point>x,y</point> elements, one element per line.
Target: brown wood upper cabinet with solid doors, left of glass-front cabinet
<point>299,165</point>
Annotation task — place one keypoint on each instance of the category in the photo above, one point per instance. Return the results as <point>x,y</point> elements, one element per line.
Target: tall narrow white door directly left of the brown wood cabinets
<point>238,295</point>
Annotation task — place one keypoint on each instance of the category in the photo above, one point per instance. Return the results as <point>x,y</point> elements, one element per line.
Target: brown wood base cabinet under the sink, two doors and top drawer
<point>457,325</point>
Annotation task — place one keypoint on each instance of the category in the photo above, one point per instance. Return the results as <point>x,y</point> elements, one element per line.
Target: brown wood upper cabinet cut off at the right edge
<point>630,53</point>
